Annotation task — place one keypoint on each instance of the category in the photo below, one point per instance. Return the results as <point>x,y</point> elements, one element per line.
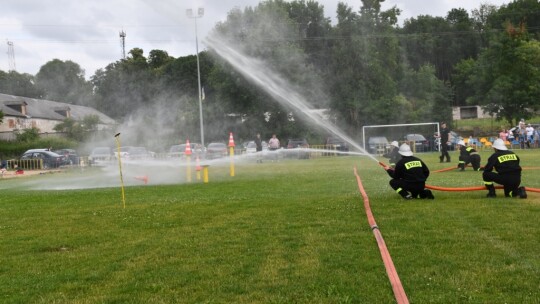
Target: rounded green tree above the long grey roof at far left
<point>64,81</point>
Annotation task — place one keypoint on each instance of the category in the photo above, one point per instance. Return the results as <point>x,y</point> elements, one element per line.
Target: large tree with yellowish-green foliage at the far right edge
<point>506,76</point>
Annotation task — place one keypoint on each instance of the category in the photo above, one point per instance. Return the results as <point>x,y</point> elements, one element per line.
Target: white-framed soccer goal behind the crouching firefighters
<point>421,136</point>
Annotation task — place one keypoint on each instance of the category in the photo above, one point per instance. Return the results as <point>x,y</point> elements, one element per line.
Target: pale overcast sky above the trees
<point>87,31</point>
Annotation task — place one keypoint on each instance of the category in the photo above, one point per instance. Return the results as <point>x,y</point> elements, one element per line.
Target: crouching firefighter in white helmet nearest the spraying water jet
<point>409,176</point>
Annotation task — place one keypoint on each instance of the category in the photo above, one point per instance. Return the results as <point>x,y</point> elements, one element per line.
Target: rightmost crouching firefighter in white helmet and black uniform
<point>508,174</point>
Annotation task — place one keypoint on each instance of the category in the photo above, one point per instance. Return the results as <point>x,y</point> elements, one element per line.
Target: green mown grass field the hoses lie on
<point>288,232</point>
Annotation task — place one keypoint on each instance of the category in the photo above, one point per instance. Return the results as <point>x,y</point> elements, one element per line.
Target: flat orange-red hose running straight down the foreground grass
<point>397,287</point>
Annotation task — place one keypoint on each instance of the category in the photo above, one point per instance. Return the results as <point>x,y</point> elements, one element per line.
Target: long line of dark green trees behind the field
<point>365,69</point>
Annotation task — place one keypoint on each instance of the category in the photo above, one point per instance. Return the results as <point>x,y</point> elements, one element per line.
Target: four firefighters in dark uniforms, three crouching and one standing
<point>409,173</point>
